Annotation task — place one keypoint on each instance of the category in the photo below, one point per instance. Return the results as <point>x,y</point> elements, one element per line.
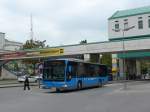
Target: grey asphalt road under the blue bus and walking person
<point>111,98</point>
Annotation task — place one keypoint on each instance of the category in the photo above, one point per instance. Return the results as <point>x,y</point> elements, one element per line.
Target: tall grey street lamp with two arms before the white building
<point>123,50</point>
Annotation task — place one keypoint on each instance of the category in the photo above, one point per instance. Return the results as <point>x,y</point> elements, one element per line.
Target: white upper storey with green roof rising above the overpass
<point>135,21</point>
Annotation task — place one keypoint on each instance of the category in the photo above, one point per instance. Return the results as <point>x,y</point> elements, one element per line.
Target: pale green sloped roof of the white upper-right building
<point>131,12</point>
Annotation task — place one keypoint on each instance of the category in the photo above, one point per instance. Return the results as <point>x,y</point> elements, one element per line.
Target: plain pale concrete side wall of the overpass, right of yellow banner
<point>108,46</point>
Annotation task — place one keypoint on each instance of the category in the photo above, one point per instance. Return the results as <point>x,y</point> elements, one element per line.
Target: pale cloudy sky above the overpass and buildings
<point>60,22</point>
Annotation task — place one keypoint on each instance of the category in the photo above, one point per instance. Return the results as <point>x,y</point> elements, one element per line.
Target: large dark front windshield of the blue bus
<point>54,70</point>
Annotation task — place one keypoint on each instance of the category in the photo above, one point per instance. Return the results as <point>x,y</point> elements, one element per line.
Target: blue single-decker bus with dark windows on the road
<point>68,74</point>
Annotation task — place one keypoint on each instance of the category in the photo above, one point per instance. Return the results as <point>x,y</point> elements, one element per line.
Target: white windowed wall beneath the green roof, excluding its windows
<point>132,21</point>
